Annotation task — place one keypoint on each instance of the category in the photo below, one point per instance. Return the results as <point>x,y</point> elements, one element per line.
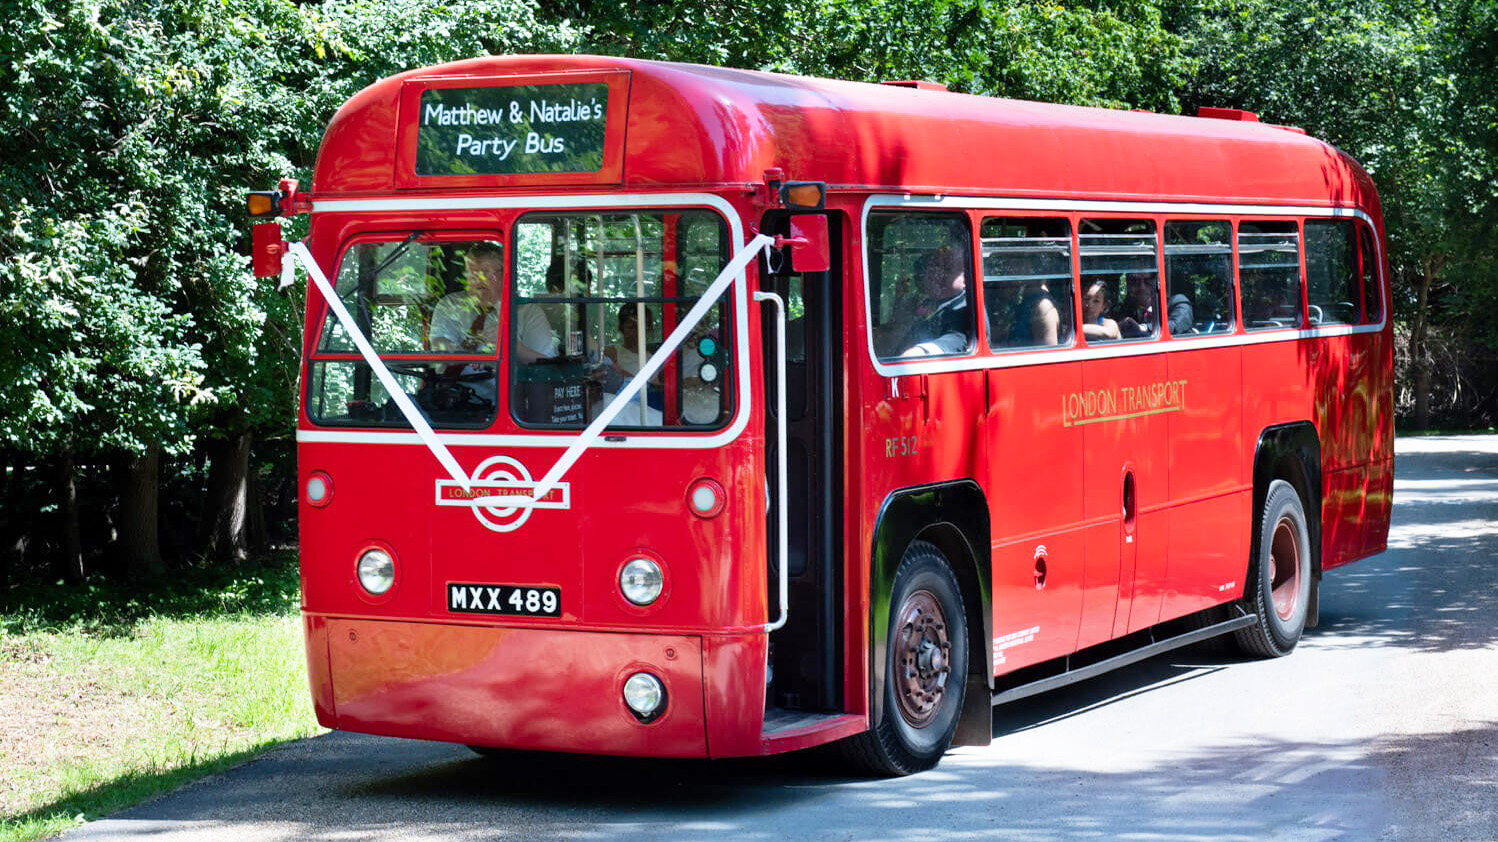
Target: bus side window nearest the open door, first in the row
<point>921,297</point>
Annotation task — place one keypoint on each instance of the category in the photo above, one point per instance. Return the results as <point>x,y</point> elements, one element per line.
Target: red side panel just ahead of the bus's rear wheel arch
<point>1208,492</point>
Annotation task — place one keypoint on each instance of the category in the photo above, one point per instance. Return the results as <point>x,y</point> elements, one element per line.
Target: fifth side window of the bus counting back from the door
<point>1270,273</point>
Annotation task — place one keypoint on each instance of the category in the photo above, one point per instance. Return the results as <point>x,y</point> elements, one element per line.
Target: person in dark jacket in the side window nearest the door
<point>937,323</point>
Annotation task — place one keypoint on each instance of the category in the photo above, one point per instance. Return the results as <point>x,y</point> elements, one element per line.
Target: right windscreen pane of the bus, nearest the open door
<point>594,296</point>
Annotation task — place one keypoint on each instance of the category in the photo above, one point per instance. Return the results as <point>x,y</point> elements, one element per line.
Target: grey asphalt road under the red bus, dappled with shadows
<point>1382,726</point>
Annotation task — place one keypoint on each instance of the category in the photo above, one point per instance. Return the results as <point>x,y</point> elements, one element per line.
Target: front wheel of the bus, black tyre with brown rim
<point>925,669</point>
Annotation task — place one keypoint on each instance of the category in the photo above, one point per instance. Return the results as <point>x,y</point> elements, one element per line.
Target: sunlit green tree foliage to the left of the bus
<point>133,131</point>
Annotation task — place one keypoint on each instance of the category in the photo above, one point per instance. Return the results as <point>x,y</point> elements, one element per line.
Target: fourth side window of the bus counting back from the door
<point>1199,278</point>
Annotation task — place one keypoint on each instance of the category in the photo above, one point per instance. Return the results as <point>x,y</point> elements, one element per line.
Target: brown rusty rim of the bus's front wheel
<point>922,658</point>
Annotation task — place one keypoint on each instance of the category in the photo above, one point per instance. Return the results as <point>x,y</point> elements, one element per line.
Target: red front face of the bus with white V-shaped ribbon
<point>534,497</point>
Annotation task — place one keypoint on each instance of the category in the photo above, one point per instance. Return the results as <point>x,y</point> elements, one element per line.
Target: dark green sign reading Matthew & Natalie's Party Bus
<point>555,128</point>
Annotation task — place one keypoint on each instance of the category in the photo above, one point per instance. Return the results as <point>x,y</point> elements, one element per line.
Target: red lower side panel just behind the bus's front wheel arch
<point>1034,480</point>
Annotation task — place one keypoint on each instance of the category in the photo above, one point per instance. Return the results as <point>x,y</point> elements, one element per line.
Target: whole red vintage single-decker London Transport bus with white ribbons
<point>681,411</point>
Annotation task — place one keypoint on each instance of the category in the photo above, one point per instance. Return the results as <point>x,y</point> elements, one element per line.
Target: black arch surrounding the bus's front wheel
<point>955,518</point>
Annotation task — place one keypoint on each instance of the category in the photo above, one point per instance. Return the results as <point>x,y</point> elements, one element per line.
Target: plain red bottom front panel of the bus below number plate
<point>504,687</point>
